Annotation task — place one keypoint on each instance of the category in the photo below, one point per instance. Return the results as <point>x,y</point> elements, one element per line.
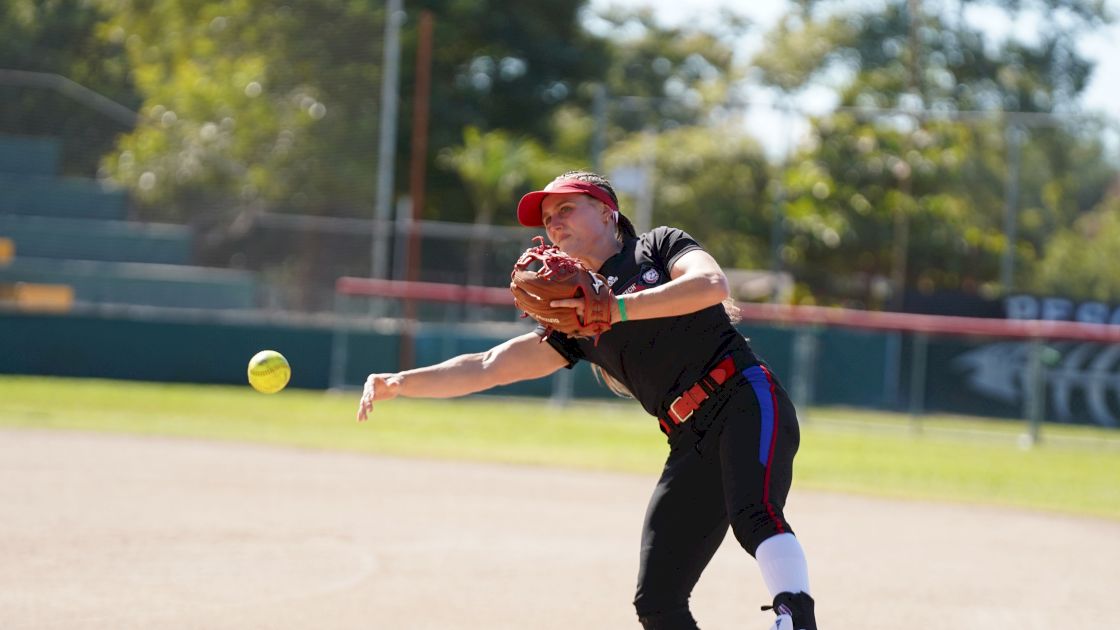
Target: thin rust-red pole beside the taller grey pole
<point>417,174</point>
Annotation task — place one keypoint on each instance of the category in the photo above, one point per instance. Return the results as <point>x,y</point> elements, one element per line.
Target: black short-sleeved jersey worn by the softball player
<point>656,359</point>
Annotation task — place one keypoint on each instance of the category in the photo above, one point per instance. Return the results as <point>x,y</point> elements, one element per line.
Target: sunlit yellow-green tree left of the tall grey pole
<point>246,106</point>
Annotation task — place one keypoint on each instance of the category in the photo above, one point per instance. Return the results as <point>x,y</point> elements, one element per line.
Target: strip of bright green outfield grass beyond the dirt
<point>1077,470</point>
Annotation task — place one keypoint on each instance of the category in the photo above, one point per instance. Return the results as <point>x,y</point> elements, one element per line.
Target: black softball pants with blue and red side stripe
<point>731,466</point>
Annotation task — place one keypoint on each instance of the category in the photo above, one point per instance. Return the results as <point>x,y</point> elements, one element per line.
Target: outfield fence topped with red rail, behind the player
<point>1034,369</point>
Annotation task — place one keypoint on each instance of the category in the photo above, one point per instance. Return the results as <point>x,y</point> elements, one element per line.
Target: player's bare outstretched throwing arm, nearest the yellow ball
<point>522,358</point>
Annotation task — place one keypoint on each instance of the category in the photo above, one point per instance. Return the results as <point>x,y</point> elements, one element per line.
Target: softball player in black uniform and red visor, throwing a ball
<point>732,429</point>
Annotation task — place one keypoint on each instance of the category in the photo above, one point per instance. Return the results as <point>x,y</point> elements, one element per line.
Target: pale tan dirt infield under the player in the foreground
<point>113,533</point>
